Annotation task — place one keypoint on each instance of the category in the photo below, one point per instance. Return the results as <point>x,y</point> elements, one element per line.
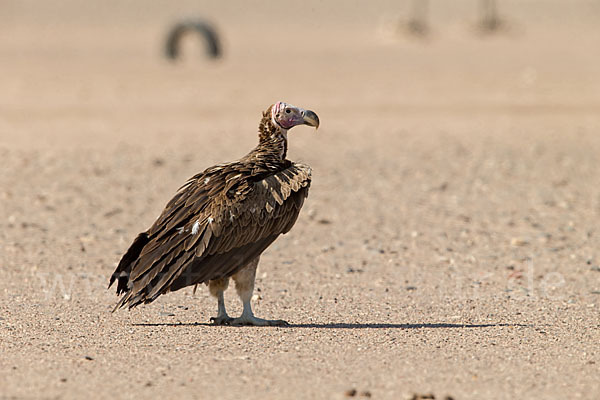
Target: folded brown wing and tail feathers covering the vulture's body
<point>217,222</point>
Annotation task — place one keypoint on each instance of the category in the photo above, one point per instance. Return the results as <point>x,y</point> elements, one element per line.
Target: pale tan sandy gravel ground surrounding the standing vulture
<point>449,245</point>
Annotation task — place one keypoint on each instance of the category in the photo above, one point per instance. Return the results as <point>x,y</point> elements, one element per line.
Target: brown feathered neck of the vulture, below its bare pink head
<point>272,141</point>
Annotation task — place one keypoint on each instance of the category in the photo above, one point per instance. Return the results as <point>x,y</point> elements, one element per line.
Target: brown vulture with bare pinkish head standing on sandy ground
<point>220,221</point>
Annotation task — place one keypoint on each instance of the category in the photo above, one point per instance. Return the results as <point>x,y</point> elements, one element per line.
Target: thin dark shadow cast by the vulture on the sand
<point>344,325</point>
